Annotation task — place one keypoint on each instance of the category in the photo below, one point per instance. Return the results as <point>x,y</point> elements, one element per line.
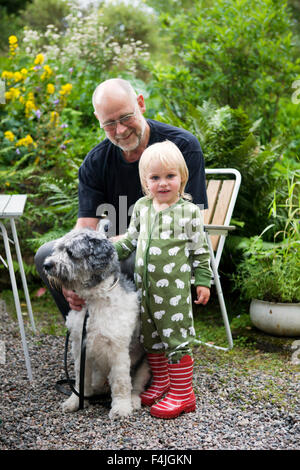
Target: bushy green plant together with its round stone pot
<point>269,274</point>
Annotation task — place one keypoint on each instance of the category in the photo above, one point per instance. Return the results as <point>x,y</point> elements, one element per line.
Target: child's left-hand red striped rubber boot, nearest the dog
<point>160,382</point>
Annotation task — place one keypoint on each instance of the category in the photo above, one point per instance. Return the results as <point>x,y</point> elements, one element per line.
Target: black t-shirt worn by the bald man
<point>108,182</point>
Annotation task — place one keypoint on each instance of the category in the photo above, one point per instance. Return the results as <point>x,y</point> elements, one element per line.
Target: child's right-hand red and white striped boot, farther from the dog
<point>181,397</point>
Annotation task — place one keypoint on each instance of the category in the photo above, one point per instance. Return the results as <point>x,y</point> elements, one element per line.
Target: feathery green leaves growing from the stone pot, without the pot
<point>271,271</point>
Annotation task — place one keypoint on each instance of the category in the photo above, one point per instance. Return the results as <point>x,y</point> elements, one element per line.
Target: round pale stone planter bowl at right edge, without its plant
<point>279,319</point>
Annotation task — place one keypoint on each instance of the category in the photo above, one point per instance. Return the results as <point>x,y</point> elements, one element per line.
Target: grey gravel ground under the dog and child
<point>31,417</point>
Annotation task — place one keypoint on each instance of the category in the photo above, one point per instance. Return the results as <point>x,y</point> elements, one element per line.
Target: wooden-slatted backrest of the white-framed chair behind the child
<point>222,194</point>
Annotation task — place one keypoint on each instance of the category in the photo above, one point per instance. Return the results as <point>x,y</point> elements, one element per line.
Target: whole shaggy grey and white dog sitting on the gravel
<point>86,261</point>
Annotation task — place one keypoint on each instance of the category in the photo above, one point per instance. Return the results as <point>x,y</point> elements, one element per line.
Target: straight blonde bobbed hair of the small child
<point>169,155</point>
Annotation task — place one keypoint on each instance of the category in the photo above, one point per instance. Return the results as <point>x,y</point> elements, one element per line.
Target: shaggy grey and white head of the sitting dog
<point>81,259</point>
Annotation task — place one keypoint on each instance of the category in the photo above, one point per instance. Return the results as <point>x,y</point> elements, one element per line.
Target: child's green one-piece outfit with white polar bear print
<point>170,247</point>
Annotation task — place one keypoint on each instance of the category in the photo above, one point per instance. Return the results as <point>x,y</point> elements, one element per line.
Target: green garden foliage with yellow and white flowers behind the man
<point>223,69</point>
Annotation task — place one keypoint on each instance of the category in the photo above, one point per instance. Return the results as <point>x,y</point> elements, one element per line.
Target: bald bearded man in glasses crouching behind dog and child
<point>108,176</point>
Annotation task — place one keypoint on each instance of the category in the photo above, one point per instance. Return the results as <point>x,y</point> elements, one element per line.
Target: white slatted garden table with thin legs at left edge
<point>11,207</point>
